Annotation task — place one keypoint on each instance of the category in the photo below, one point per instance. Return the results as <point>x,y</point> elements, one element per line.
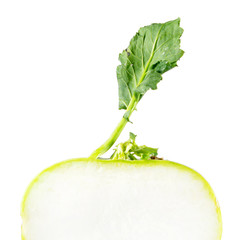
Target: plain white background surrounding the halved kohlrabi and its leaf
<point>58,92</point>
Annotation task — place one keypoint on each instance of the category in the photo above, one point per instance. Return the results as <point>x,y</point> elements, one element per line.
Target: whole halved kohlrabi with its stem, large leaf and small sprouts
<point>134,195</point>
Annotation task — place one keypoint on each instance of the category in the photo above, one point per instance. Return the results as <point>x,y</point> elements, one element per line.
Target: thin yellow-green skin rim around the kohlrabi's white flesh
<point>109,163</point>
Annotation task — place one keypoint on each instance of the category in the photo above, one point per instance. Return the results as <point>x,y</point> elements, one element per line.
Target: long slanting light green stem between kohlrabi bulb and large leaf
<point>116,133</point>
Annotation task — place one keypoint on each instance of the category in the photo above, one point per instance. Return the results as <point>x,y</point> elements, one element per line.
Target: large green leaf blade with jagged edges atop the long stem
<point>154,50</point>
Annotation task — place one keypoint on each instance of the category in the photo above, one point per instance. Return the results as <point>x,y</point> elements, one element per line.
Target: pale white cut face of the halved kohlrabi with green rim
<point>120,200</point>
